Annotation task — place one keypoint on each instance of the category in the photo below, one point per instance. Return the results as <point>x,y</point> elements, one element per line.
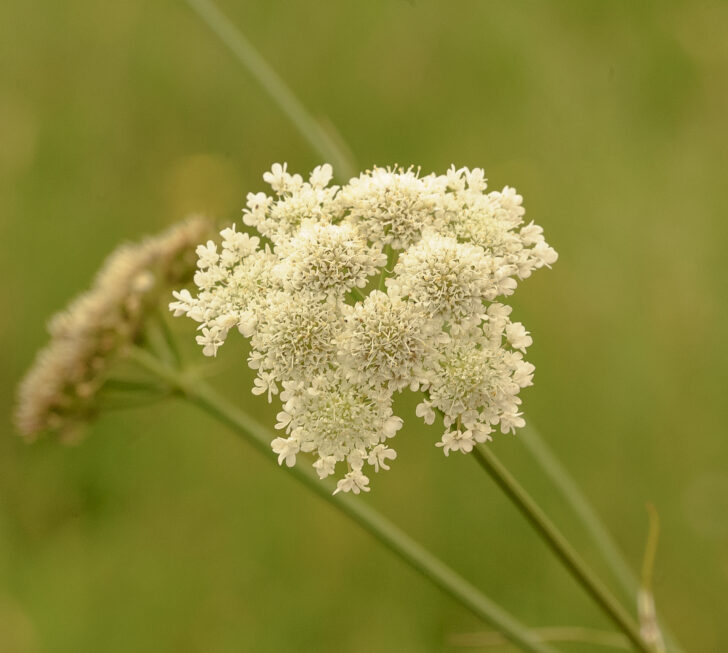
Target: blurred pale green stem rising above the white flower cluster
<point>244,51</point>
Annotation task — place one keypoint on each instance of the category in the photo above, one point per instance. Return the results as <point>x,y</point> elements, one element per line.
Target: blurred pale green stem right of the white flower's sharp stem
<point>600,536</point>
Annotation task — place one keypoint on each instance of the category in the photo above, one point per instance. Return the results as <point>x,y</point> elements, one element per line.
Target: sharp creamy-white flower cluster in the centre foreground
<point>352,294</point>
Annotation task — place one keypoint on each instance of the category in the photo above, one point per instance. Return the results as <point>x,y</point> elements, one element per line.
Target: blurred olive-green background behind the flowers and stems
<point>162,532</point>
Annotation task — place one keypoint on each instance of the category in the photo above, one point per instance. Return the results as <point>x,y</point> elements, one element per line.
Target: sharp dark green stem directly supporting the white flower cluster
<point>560,546</point>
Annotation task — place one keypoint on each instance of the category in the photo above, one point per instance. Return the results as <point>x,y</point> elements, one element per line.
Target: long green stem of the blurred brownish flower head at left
<point>203,396</point>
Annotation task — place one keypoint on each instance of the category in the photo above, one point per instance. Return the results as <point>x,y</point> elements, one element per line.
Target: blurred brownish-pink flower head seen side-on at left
<point>60,390</point>
